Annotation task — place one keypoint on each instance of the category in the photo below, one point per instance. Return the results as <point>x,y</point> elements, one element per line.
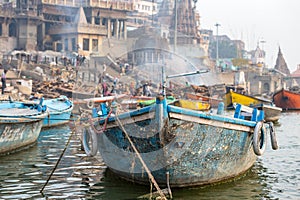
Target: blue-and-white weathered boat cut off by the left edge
<point>20,125</point>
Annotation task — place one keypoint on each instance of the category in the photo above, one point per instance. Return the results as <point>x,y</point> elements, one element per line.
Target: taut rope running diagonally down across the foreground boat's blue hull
<point>141,160</point>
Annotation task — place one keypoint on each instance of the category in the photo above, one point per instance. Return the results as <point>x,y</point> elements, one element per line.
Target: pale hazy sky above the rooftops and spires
<point>276,22</point>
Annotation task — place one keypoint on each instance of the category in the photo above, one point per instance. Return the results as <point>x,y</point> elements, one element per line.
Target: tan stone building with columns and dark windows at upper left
<point>62,25</point>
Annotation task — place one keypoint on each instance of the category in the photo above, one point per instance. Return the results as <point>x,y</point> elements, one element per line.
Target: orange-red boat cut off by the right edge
<point>287,100</point>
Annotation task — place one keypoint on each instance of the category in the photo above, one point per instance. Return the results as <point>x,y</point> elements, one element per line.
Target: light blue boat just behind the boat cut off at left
<point>59,111</point>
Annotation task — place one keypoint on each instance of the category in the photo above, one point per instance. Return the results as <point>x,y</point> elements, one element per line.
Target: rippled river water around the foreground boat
<point>23,175</point>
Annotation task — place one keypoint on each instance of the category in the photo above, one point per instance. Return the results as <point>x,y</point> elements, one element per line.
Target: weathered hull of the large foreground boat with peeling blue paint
<point>195,149</point>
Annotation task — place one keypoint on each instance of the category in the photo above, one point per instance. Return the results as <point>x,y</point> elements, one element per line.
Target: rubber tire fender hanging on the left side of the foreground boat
<point>87,135</point>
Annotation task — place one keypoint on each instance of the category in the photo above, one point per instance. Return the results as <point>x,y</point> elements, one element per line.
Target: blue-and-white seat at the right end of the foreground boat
<point>247,113</point>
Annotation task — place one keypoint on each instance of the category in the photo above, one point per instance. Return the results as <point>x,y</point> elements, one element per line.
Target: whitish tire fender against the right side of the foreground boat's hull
<point>259,138</point>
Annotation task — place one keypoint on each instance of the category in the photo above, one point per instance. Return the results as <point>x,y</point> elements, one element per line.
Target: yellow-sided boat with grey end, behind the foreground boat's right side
<point>272,112</point>
